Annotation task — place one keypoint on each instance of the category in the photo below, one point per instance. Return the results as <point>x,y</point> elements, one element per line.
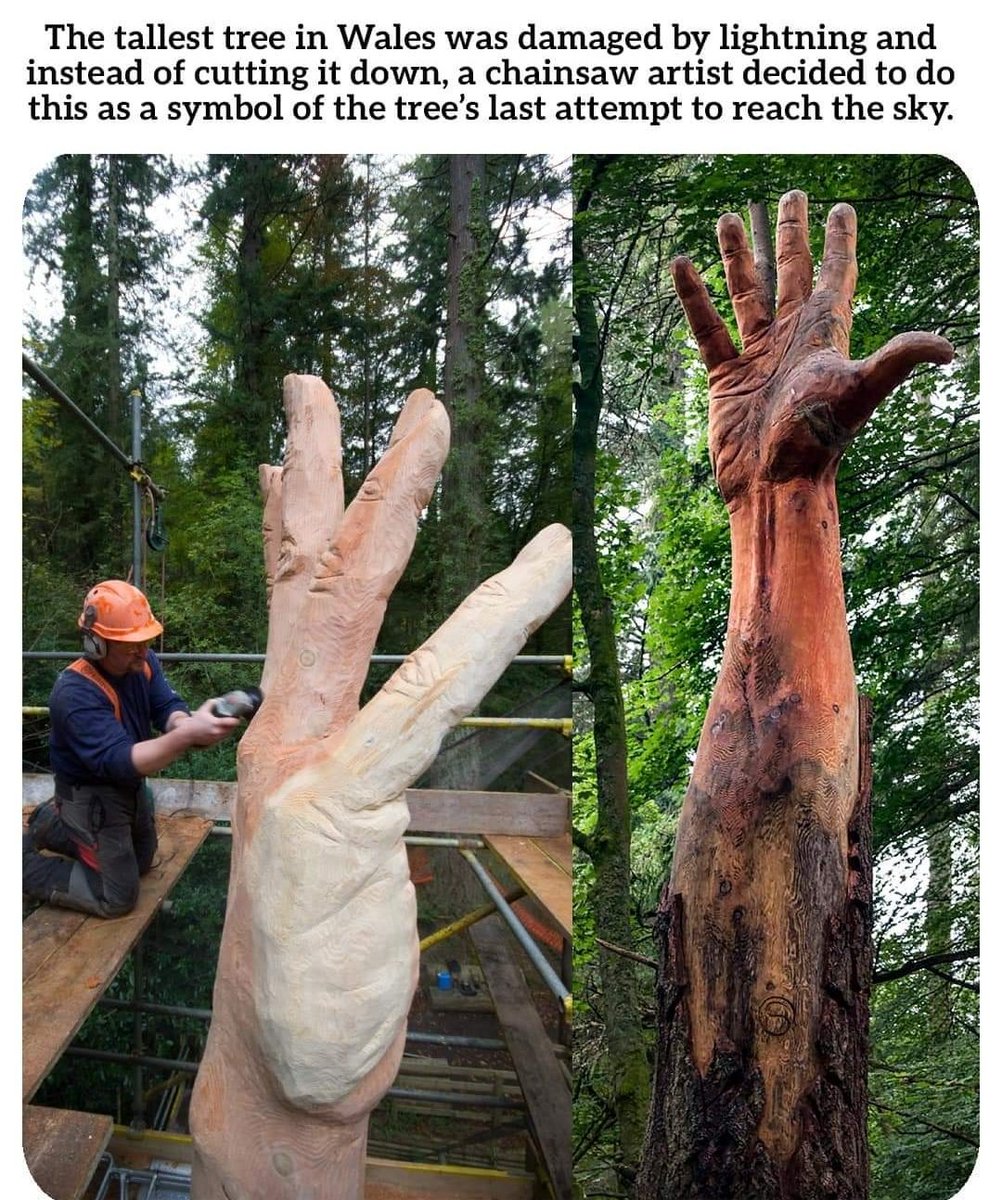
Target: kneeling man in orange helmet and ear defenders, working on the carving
<point>104,710</point>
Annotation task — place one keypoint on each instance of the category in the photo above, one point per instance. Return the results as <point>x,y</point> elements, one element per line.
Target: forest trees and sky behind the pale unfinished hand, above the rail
<point>199,285</point>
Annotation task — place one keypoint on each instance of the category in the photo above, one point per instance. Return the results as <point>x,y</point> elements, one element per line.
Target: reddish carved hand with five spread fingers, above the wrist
<point>793,400</point>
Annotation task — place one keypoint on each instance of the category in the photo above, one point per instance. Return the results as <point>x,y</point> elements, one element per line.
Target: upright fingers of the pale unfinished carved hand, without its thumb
<point>331,572</point>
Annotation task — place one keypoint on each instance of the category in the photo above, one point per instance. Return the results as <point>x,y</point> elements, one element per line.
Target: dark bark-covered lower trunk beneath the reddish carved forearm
<point>761,1094</point>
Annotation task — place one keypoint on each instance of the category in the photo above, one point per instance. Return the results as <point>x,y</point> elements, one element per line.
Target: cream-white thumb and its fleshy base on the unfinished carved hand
<point>332,905</point>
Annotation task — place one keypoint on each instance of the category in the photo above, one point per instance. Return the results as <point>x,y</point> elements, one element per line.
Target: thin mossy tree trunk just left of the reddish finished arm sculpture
<point>609,845</point>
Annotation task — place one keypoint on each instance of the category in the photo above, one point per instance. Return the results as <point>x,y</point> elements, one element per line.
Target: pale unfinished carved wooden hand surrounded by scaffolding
<point>320,952</point>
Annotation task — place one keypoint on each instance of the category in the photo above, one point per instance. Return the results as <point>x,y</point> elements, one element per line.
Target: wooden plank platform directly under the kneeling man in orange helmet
<point>69,959</point>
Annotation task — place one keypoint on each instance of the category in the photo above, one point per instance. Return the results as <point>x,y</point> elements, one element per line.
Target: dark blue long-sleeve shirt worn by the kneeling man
<point>87,743</point>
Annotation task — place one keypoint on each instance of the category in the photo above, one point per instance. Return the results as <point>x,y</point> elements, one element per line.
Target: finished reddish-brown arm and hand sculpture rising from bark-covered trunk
<point>760,1088</point>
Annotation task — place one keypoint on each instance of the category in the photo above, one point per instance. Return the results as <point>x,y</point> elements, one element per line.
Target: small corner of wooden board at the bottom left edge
<point>63,1148</point>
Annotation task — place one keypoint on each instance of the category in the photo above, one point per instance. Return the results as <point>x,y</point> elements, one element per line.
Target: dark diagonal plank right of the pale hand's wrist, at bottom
<point>544,1085</point>
